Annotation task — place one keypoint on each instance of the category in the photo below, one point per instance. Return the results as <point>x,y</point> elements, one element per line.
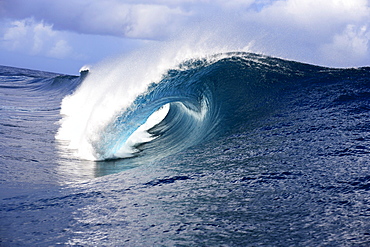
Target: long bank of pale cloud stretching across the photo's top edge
<point>158,19</point>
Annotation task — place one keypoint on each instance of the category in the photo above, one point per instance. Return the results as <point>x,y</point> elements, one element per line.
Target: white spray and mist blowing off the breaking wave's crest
<point>112,86</point>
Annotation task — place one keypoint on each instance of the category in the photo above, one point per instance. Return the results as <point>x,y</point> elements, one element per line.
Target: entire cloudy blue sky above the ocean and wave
<point>64,35</point>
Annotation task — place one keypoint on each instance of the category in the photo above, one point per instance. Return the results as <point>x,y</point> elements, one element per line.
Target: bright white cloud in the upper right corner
<point>314,16</point>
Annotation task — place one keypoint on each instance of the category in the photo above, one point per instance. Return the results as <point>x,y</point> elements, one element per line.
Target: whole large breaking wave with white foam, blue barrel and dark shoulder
<point>123,114</point>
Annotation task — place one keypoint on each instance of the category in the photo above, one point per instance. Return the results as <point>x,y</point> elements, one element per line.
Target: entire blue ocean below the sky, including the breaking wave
<point>234,149</point>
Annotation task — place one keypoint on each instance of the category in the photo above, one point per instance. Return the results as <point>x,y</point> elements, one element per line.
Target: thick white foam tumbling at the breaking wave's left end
<point>107,89</point>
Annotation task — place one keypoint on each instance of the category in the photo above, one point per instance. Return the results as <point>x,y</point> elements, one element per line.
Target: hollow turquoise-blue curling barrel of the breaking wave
<point>171,115</point>
